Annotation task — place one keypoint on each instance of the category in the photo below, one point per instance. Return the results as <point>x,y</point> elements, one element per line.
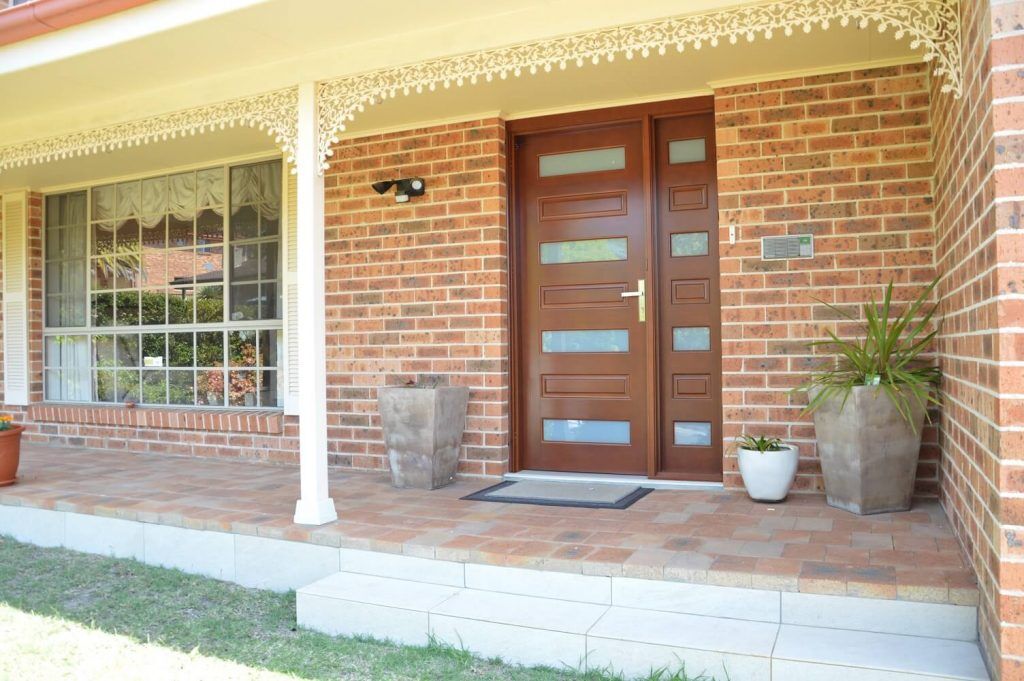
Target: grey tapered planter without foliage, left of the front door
<point>423,434</point>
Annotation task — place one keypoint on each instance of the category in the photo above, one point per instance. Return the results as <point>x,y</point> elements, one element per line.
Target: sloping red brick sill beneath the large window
<point>242,421</point>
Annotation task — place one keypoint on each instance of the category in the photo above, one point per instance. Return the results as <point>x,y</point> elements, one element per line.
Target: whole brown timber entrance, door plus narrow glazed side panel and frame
<point>616,315</point>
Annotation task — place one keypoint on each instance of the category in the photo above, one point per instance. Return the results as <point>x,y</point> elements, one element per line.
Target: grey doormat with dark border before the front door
<point>550,493</point>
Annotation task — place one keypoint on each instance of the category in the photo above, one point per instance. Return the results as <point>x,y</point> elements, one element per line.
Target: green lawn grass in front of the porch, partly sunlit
<point>70,615</point>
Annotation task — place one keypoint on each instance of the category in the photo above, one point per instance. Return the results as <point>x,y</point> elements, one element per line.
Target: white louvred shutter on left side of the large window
<point>16,297</point>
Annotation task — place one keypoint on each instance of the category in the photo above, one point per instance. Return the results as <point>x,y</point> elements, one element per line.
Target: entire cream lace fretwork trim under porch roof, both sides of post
<point>931,25</point>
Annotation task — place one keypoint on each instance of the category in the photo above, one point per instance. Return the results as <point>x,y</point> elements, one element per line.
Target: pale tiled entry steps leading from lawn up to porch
<point>643,627</point>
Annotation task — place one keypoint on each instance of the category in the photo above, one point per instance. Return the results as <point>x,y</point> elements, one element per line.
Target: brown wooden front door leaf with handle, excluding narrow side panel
<point>585,348</point>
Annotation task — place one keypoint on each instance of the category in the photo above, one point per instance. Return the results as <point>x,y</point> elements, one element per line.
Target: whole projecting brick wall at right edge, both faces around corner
<point>979,248</point>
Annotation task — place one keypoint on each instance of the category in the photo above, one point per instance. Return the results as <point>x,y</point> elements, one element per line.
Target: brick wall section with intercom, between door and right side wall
<point>847,158</point>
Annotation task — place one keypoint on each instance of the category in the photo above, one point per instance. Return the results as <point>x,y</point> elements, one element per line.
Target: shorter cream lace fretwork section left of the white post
<point>277,113</point>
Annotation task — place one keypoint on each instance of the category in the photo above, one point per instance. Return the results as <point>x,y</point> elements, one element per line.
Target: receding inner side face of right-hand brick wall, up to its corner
<point>965,223</point>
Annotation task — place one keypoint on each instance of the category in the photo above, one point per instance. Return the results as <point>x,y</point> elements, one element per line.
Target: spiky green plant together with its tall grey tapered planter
<point>870,407</point>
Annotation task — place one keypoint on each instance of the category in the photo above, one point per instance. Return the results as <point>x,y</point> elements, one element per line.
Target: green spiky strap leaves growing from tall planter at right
<point>890,356</point>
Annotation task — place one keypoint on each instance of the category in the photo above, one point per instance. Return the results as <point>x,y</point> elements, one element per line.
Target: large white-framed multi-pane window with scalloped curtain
<point>158,295</point>
